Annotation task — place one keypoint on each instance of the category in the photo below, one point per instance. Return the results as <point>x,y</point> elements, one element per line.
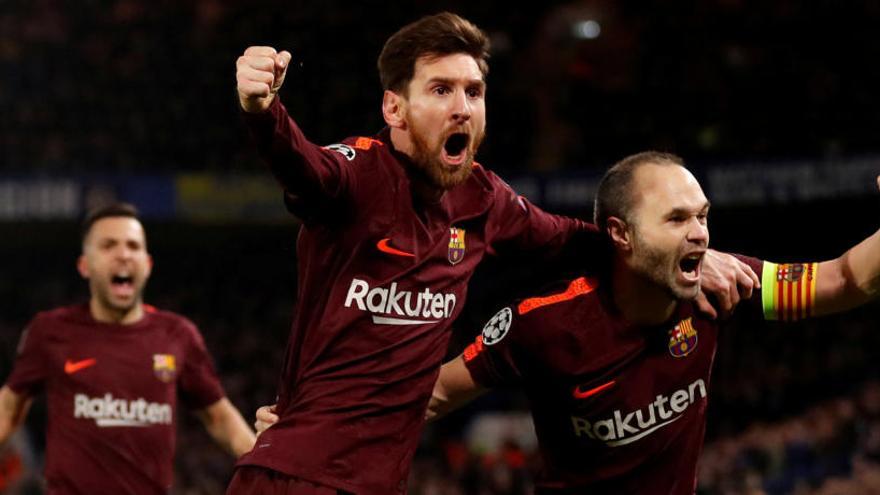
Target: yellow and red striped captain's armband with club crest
<point>788,291</point>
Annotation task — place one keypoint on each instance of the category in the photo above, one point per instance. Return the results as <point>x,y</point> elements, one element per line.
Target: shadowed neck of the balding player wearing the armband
<point>639,300</point>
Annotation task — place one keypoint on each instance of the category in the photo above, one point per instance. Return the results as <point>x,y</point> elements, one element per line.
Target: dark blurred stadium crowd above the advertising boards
<point>140,85</point>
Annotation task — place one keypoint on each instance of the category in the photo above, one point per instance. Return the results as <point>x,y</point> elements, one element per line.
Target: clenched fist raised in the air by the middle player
<point>260,73</point>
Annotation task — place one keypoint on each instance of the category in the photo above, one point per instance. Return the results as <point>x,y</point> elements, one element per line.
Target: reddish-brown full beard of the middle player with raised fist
<point>428,162</point>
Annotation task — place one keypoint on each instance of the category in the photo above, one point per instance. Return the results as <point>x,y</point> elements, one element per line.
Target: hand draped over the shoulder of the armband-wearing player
<point>728,279</point>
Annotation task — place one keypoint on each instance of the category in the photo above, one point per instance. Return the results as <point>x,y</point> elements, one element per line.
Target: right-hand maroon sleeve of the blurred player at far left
<point>198,384</point>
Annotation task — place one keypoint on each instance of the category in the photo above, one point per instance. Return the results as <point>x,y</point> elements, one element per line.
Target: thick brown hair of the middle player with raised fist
<point>433,36</point>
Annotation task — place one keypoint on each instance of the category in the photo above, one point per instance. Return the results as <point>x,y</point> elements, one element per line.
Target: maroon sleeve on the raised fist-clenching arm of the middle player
<point>310,175</point>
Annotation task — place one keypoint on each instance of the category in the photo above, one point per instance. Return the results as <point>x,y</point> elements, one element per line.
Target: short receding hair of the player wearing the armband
<point>614,196</point>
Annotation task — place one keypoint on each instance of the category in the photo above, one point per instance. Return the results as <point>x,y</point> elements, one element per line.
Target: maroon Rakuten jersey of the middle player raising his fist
<point>380,282</point>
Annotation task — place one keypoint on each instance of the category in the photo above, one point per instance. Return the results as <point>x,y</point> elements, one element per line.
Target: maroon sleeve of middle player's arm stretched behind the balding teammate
<point>515,224</point>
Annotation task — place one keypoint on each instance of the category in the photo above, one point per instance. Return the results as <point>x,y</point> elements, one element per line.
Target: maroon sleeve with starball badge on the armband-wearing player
<point>491,359</point>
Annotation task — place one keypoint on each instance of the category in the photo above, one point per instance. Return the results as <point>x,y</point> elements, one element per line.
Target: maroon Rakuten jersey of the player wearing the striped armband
<point>618,408</point>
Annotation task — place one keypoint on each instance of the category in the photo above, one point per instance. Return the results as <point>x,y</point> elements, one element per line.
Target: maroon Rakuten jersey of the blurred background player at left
<point>112,396</point>
